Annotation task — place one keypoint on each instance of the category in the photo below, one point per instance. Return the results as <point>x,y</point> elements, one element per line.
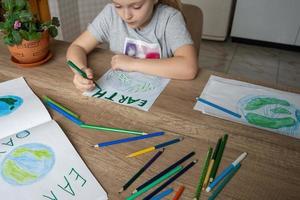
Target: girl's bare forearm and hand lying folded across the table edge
<point>183,65</point>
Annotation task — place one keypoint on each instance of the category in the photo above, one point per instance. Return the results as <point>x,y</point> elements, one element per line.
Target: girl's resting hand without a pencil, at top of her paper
<point>122,62</point>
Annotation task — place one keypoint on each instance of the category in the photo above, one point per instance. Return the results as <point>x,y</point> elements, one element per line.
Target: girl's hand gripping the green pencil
<point>84,84</point>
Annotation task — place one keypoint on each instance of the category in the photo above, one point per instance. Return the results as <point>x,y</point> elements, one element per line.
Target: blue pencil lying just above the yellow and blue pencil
<point>130,139</point>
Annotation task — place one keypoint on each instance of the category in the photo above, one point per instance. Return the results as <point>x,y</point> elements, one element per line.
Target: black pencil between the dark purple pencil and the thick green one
<point>178,162</point>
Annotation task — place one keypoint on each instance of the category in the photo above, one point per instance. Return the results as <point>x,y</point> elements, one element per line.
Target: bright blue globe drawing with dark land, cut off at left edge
<point>9,103</point>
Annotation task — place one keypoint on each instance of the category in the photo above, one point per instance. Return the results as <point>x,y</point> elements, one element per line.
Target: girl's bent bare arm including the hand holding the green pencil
<point>77,53</point>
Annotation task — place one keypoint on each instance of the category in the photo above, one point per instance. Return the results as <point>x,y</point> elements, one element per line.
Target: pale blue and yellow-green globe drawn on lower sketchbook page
<point>27,164</point>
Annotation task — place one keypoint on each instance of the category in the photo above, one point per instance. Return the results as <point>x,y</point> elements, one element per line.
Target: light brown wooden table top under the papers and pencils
<point>271,170</point>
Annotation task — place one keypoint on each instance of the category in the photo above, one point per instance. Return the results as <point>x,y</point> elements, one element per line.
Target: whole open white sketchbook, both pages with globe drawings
<point>38,162</point>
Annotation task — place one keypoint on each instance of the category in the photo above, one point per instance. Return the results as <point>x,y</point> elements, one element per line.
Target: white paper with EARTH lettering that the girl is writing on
<point>129,88</point>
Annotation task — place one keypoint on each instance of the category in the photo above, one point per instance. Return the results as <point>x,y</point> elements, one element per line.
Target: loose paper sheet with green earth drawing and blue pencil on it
<point>259,106</point>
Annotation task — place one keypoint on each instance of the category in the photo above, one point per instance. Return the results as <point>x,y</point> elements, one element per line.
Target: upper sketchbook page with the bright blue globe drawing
<point>29,113</point>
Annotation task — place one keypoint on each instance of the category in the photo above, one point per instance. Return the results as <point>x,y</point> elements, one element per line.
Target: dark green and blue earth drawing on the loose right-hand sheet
<point>271,113</point>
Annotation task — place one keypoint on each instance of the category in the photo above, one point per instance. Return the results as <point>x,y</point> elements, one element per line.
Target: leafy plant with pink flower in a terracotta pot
<point>27,38</point>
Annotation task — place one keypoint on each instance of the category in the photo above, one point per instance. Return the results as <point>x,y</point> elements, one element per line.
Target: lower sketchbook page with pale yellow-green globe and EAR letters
<point>41,163</point>
